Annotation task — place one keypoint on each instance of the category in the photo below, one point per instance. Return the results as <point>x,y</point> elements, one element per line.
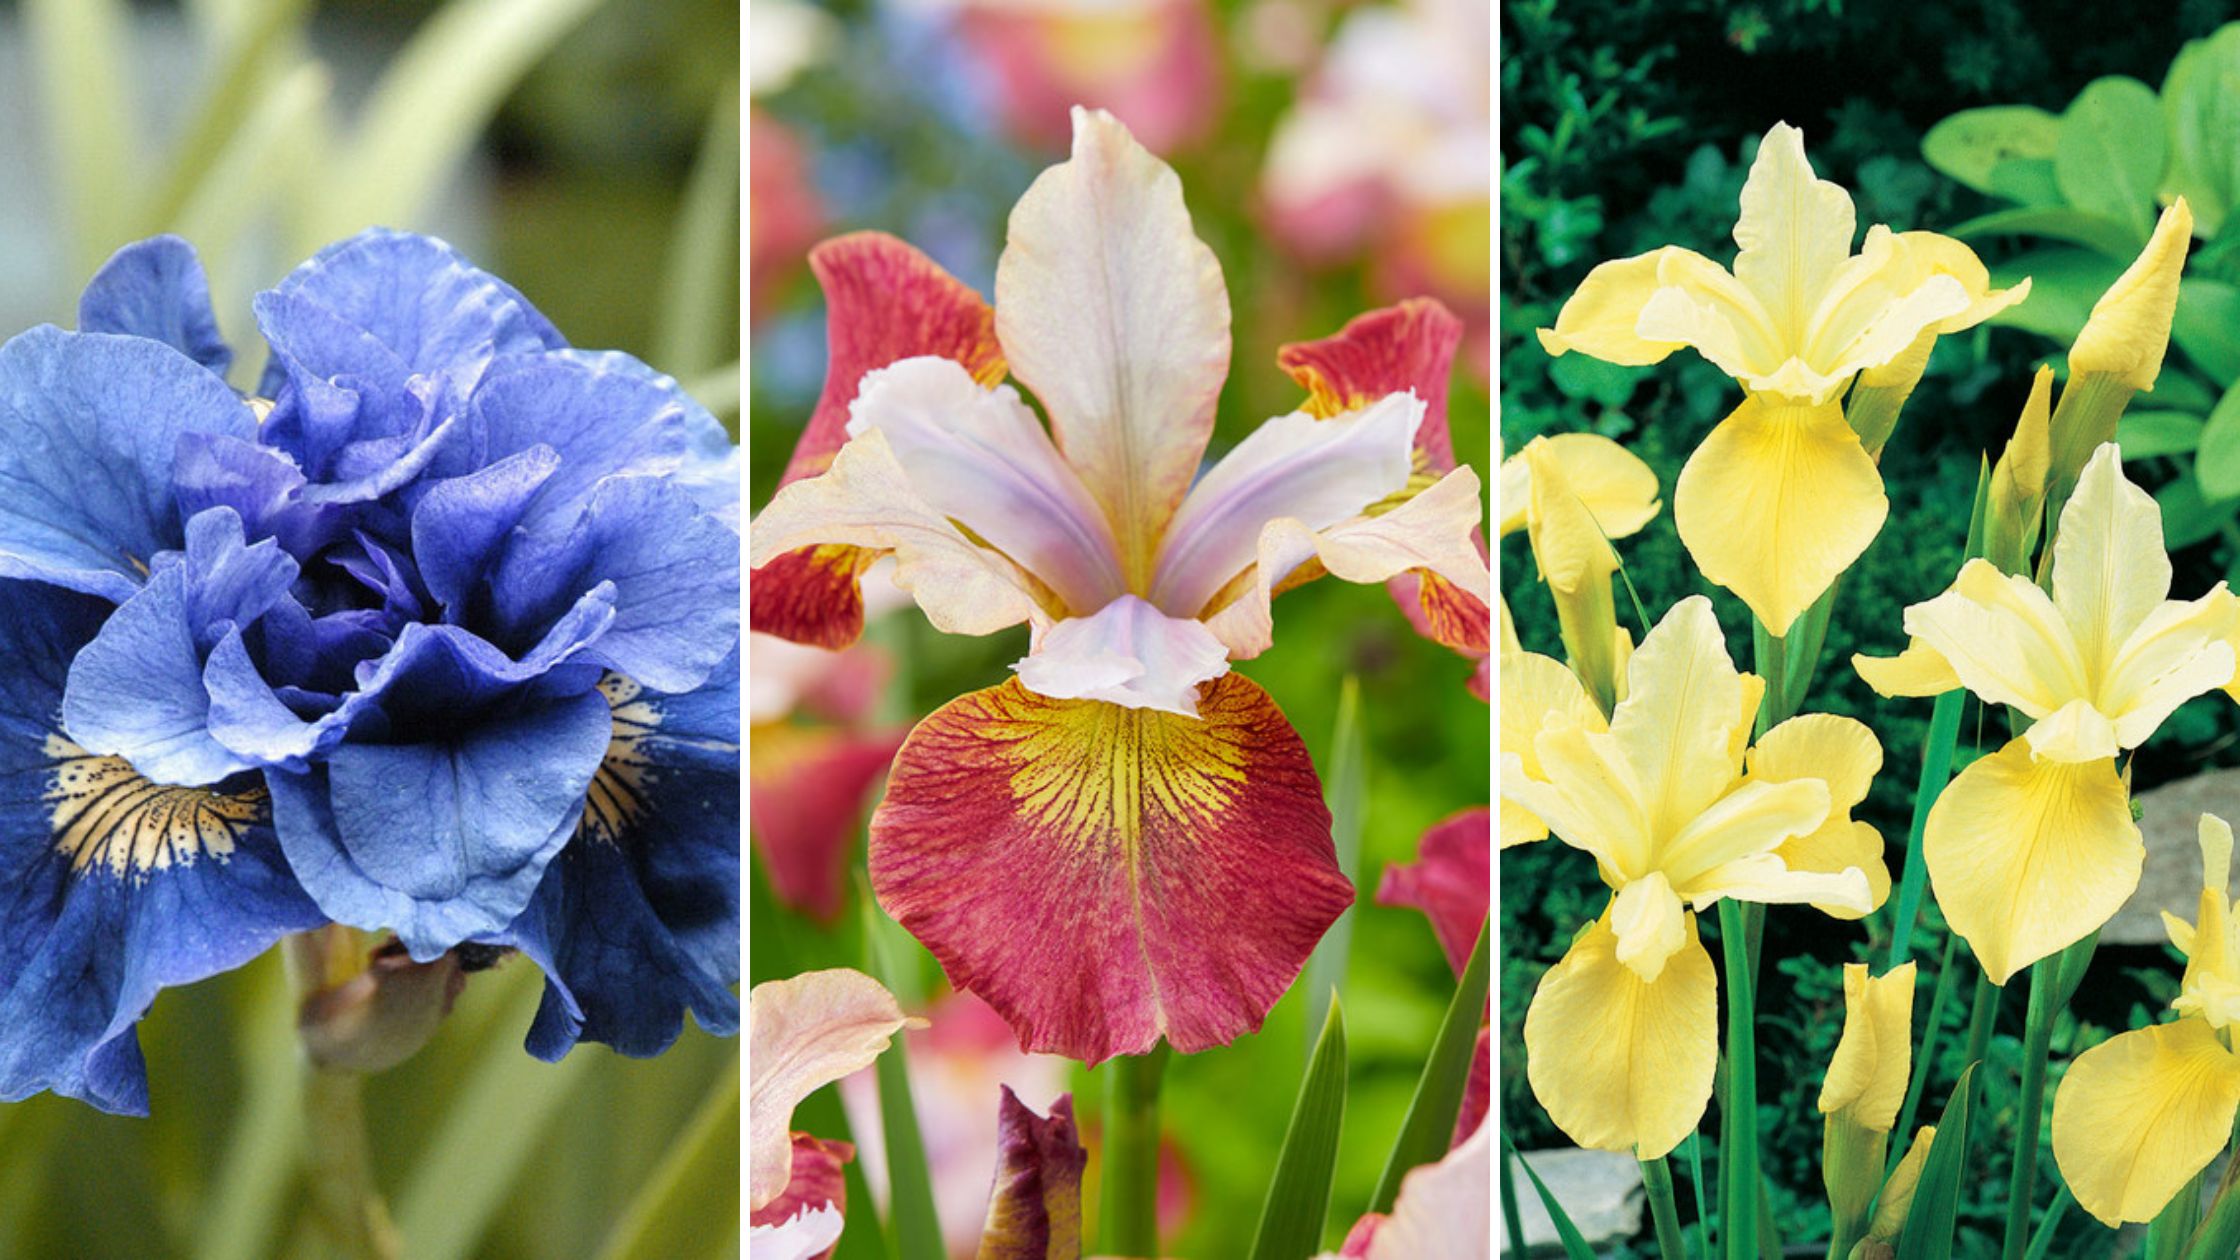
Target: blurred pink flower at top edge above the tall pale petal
<point>1152,64</point>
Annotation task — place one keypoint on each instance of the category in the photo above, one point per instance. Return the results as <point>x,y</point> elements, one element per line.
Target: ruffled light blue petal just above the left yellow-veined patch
<point>138,689</point>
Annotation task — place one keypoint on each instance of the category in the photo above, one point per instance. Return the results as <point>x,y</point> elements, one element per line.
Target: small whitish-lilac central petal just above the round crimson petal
<point>1128,654</point>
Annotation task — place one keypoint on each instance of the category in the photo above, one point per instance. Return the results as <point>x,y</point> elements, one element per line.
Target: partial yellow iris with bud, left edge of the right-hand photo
<point>1574,494</point>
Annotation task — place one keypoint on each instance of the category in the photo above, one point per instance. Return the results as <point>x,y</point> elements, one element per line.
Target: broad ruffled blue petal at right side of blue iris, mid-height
<point>675,571</point>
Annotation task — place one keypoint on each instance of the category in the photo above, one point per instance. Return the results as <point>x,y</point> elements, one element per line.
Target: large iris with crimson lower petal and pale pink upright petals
<point>1126,842</point>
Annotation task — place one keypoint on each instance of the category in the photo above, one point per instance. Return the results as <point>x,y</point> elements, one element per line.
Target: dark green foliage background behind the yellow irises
<point>1630,124</point>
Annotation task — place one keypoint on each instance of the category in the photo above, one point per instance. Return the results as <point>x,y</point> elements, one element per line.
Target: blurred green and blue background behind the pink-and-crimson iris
<point>897,133</point>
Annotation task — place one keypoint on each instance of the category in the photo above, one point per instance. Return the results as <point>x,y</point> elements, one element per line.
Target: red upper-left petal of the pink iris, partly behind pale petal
<point>884,302</point>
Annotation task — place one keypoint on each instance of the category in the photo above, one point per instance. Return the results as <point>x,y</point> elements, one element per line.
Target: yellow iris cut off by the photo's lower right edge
<point>2145,1111</point>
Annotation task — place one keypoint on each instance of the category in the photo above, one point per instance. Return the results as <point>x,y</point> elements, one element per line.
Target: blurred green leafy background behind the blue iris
<point>590,154</point>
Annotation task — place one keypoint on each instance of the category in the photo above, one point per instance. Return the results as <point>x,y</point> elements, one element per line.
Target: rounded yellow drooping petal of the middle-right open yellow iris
<point>2031,855</point>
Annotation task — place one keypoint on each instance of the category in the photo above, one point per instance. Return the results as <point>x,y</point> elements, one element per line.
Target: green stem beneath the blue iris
<point>339,1162</point>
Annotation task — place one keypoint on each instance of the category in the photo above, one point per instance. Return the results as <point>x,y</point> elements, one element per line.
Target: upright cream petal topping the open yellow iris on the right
<point>2109,562</point>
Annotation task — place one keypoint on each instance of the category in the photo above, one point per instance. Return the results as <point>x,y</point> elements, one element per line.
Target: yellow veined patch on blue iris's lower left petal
<point>109,815</point>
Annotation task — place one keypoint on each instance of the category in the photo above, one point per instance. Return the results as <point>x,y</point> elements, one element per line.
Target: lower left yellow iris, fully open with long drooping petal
<point>1679,813</point>
